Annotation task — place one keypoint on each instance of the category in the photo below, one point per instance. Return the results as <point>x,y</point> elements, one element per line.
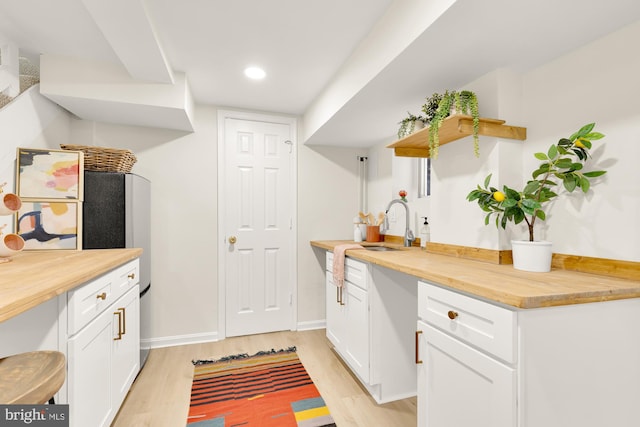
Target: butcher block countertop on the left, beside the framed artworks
<point>33,277</point>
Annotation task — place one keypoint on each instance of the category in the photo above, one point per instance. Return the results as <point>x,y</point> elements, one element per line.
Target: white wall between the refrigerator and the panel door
<point>182,168</point>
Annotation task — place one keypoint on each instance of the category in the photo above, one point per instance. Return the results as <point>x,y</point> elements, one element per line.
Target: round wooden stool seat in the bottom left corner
<point>31,378</point>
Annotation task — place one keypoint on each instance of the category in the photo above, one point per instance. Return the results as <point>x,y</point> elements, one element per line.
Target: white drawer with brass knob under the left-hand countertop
<point>88,301</point>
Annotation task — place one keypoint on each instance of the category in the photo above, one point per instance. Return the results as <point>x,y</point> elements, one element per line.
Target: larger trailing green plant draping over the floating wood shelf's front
<point>464,102</point>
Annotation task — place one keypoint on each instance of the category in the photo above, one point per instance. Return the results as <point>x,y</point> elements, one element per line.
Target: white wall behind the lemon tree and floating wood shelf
<point>597,83</point>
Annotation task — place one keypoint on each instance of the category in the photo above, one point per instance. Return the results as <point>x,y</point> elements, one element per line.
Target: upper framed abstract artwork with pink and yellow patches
<point>49,174</point>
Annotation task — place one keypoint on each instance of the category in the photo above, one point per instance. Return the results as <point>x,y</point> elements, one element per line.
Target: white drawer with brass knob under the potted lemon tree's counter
<point>486,326</point>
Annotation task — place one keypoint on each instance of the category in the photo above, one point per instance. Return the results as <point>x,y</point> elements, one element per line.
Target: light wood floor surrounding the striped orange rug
<point>160,395</point>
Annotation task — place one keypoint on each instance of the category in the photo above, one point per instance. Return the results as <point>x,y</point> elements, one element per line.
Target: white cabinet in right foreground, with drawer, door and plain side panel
<point>484,364</point>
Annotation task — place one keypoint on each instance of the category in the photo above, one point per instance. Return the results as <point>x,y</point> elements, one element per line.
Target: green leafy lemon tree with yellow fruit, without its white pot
<point>563,162</point>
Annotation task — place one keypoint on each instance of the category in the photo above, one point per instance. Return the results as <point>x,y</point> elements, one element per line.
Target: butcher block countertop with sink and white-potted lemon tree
<point>498,283</point>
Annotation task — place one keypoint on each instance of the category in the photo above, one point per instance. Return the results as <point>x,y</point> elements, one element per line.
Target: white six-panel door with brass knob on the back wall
<point>258,211</point>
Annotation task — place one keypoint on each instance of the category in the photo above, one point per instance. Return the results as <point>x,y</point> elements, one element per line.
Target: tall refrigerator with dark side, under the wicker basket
<point>117,214</point>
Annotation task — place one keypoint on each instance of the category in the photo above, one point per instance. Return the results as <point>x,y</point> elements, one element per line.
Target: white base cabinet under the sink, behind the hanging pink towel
<point>371,323</point>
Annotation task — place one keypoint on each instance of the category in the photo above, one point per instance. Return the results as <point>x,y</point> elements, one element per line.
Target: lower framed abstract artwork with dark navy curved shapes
<point>46,225</point>
